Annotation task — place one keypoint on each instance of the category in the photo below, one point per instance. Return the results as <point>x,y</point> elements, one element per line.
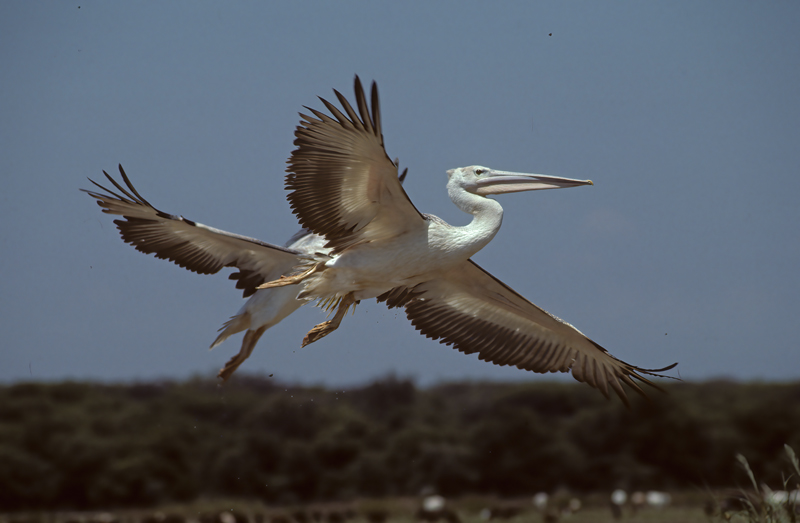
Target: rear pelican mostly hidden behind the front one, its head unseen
<point>207,250</point>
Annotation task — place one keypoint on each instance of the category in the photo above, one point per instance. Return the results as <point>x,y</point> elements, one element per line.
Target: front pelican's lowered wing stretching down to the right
<point>475,312</point>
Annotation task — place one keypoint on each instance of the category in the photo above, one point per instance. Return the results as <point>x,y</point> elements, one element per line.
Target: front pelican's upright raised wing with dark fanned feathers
<point>343,185</point>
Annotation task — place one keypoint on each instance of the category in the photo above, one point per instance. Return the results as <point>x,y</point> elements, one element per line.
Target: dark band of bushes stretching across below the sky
<point>90,445</point>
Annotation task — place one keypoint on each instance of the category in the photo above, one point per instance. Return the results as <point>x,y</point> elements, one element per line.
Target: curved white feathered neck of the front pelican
<point>487,218</point>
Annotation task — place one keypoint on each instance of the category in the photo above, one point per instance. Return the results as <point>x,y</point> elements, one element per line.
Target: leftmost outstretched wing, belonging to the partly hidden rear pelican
<point>192,245</point>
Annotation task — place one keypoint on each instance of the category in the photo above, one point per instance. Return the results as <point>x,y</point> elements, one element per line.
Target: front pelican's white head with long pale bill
<point>484,181</point>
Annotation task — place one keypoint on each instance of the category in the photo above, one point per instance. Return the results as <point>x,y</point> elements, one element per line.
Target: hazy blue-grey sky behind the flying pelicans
<point>686,115</point>
